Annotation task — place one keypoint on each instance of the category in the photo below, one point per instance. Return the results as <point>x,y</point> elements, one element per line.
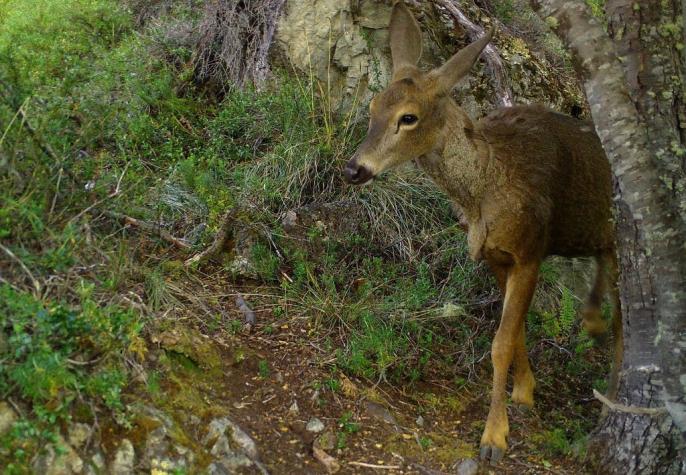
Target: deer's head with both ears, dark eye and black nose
<point>406,121</point>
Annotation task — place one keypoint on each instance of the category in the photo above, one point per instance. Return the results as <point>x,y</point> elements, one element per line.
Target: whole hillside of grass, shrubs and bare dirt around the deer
<point>331,326</point>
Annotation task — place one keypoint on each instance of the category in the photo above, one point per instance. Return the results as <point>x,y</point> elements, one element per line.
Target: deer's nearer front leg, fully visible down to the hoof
<point>521,283</point>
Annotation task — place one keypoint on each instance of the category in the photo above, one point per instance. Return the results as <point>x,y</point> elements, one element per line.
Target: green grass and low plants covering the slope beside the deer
<point>96,116</point>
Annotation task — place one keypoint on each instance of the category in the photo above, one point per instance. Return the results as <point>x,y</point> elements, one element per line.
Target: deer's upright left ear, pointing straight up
<point>405,37</point>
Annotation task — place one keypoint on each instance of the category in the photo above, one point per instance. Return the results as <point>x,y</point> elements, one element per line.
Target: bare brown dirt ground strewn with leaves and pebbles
<point>272,379</point>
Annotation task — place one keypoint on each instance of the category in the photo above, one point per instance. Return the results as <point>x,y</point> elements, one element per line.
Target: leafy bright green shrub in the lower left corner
<point>59,358</point>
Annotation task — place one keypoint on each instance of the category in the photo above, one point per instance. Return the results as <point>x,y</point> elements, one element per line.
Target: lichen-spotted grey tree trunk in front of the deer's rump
<point>638,110</point>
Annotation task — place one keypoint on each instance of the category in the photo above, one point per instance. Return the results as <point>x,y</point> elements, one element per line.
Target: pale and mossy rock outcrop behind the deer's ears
<point>343,46</point>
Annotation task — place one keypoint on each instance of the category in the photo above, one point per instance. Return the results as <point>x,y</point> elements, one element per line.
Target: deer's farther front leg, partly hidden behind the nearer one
<point>524,381</point>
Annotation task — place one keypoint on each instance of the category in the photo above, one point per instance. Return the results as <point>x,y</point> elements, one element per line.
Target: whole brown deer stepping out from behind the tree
<point>530,182</point>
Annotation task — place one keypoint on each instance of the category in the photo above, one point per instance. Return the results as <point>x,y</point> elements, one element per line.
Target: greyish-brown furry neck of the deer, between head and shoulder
<point>459,164</point>
